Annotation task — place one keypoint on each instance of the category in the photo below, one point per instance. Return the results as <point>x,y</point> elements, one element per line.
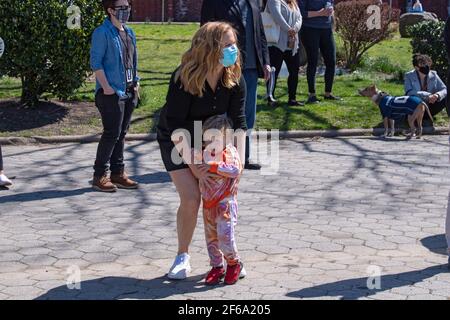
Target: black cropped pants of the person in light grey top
<point>293,64</point>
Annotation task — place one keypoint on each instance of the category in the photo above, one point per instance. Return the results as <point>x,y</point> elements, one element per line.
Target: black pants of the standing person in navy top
<point>322,40</point>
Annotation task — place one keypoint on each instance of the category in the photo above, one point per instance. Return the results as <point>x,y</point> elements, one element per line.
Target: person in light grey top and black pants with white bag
<point>287,15</point>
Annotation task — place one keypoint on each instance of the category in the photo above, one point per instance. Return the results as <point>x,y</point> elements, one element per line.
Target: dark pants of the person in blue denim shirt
<point>116,119</point>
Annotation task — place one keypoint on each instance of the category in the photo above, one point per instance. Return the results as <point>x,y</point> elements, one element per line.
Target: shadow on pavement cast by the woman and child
<point>113,288</point>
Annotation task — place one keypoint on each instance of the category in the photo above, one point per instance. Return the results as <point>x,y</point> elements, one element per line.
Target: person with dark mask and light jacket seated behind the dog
<point>425,83</point>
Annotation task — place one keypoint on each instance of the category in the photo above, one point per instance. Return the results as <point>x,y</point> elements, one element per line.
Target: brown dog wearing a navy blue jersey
<point>396,108</point>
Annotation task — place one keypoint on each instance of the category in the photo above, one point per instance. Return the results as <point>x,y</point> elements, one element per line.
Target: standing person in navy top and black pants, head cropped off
<point>317,35</point>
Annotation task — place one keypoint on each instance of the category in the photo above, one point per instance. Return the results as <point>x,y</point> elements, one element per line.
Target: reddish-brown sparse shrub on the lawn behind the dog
<point>361,25</point>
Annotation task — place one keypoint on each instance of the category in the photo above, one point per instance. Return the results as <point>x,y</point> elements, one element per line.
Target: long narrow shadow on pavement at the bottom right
<point>352,289</point>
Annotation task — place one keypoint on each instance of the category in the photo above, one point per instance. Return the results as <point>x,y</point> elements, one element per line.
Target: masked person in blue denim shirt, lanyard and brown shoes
<point>114,61</point>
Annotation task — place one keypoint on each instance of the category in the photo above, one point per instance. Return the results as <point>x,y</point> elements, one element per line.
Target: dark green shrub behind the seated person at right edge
<point>428,39</point>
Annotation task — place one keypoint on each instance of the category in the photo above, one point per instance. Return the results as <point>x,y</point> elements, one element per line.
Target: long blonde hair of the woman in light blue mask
<point>203,56</point>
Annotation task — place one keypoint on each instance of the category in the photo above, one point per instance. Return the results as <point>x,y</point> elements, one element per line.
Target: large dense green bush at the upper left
<point>44,47</point>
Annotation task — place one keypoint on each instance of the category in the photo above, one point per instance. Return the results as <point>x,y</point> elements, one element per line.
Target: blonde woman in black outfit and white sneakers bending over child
<point>207,83</point>
